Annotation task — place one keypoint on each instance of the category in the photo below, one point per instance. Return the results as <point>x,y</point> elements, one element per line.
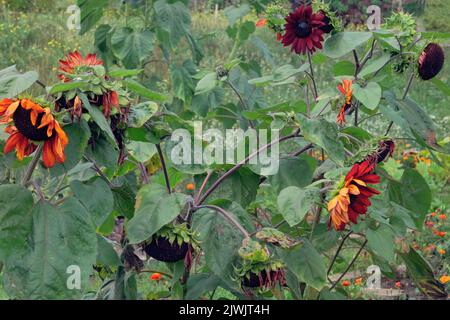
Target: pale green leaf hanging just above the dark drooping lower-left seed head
<point>154,209</point>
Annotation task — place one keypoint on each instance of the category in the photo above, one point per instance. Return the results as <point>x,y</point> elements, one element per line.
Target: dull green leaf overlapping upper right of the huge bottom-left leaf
<point>96,197</point>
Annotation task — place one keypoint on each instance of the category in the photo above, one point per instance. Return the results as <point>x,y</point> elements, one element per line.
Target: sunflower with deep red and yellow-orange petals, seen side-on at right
<point>352,198</point>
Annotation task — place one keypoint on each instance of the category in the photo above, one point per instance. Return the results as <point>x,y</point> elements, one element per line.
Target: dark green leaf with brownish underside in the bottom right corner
<point>422,274</point>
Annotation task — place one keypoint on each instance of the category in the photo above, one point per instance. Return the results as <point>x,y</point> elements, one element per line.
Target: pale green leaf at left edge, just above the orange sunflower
<point>12,82</point>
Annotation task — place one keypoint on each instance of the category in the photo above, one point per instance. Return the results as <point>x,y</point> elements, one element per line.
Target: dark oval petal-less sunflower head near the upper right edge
<point>431,61</point>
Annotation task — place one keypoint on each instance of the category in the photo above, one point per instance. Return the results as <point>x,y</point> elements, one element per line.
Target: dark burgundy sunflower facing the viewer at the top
<point>303,30</point>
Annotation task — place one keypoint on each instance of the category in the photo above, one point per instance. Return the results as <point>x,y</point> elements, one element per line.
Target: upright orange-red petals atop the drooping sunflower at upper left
<point>74,63</point>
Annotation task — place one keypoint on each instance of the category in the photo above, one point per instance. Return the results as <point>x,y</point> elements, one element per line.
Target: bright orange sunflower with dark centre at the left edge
<point>29,124</point>
